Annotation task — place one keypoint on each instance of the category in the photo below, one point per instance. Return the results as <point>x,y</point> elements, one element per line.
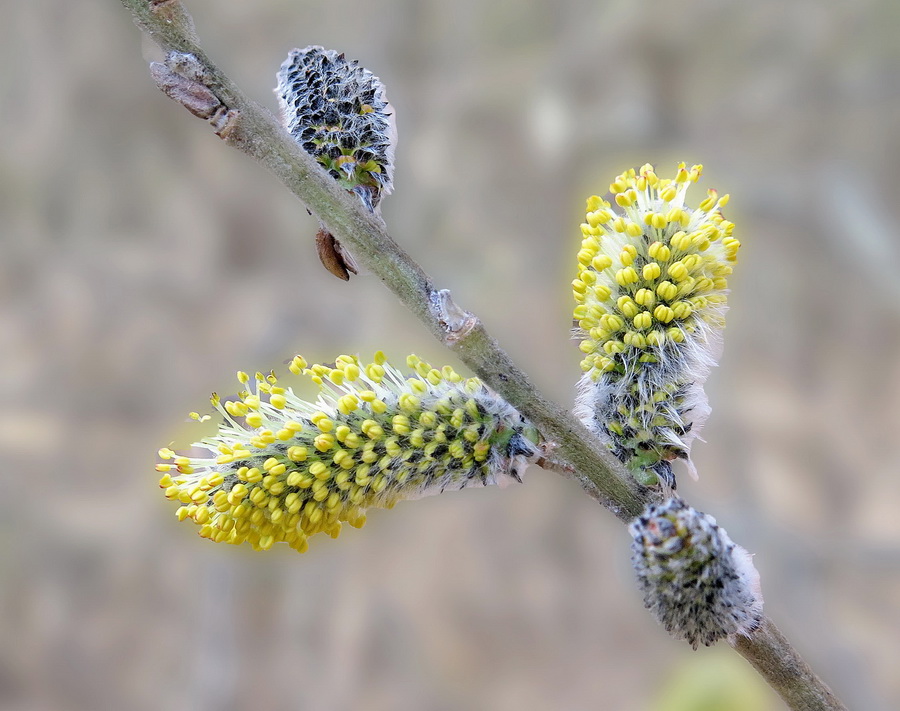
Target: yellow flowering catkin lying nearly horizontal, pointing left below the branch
<point>281,469</point>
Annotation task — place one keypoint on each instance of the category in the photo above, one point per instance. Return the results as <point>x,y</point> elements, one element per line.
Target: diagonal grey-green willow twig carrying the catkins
<point>189,77</point>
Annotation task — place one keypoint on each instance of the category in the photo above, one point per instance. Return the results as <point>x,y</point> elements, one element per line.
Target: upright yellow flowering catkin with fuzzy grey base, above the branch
<point>650,301</point>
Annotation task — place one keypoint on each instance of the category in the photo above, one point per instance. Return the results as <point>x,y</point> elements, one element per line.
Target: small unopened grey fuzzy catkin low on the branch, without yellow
<point>696,582</point>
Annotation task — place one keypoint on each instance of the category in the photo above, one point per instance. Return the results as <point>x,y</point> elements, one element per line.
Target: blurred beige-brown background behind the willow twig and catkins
<point>143,263</point>
